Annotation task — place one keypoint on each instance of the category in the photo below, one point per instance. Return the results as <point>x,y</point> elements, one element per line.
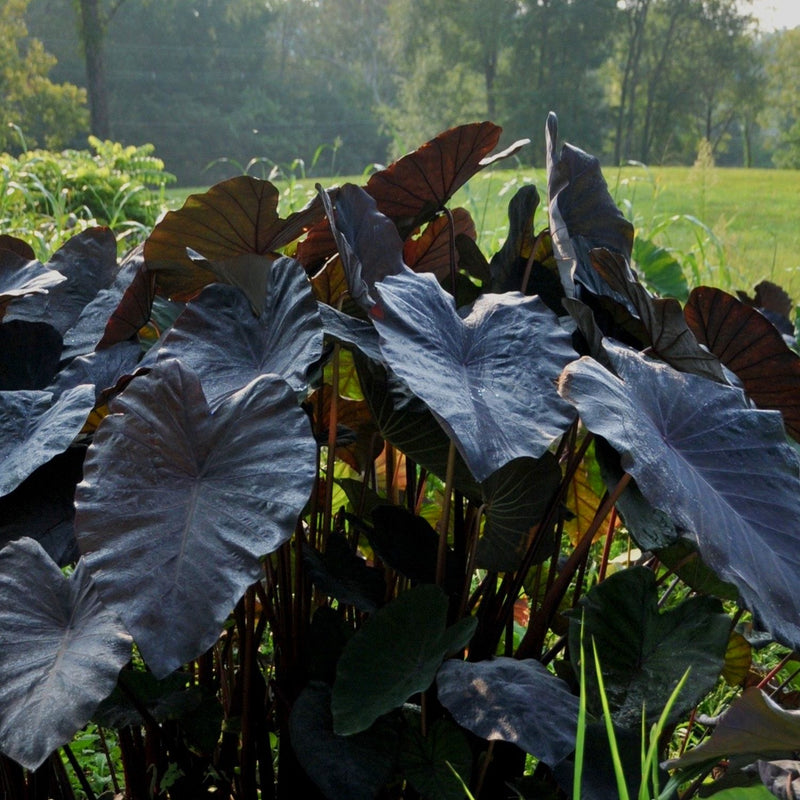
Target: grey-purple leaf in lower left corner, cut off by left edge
<point>60,652</point>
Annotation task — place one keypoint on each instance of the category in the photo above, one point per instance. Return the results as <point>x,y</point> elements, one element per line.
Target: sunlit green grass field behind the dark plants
<point>728,227</point>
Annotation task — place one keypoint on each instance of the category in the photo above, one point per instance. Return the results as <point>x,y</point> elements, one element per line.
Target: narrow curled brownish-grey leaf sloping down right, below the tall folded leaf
<point>671,339</point>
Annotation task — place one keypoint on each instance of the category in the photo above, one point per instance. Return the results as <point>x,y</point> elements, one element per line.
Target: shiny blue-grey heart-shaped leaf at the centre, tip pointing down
<point>494,367</point>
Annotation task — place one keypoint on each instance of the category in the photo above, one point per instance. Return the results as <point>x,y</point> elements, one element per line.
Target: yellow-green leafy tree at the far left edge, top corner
<point>36,111</point>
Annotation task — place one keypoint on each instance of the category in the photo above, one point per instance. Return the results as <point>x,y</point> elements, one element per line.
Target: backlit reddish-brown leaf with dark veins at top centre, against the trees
<point>413,189</point>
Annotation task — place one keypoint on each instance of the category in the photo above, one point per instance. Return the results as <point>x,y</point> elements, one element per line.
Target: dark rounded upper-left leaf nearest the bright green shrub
<point>89,263</point>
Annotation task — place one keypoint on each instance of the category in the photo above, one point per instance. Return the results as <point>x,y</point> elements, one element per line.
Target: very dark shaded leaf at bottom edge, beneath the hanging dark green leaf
<point>342,766</point>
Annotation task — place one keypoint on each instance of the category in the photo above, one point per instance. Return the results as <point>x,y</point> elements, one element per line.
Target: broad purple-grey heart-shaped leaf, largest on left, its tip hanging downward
<point>178,504</point>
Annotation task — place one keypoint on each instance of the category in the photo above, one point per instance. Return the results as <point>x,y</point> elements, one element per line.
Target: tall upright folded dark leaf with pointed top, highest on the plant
<point>583,214</point>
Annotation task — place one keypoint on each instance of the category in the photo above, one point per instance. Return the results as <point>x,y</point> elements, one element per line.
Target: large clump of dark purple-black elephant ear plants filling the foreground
<point>324,505</point>
